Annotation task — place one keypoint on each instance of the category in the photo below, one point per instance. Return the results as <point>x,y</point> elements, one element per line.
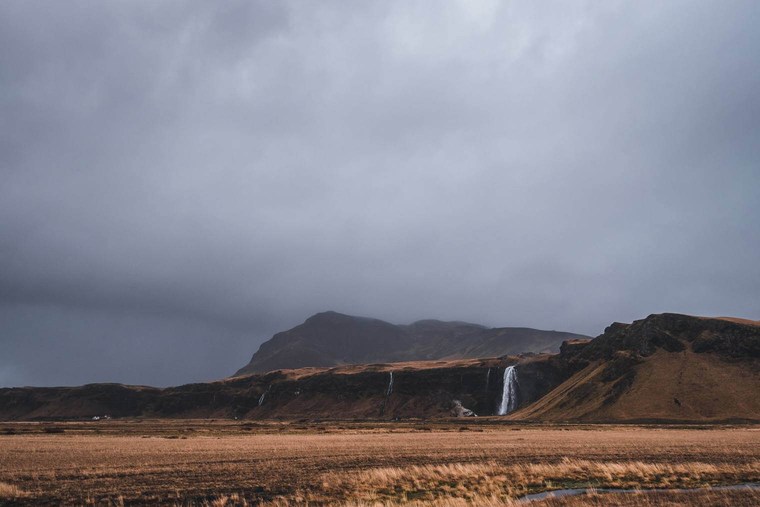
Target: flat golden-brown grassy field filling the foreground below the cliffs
<point>446,464</point>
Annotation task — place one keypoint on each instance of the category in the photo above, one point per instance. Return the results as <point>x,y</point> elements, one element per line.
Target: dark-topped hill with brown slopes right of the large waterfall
<point>667,367</point>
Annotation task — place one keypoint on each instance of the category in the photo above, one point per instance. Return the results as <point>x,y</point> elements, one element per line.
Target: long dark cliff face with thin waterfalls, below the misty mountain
<point>420,389</point>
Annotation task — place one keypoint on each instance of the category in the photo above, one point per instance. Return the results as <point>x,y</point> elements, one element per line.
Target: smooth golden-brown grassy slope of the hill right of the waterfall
<point>683,386</point>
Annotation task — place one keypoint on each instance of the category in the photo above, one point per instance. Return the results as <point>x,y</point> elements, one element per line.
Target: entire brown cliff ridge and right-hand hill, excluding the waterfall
<point>665,368</point>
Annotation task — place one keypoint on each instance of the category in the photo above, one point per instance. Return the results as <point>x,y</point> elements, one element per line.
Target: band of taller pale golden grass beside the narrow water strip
<point>500,480</point>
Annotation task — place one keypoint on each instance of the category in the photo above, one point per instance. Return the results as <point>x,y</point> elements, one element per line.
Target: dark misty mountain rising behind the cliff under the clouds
<point>332,339</point>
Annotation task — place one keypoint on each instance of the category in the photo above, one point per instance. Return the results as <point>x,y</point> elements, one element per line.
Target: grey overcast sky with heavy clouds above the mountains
<point>180,180</point>
